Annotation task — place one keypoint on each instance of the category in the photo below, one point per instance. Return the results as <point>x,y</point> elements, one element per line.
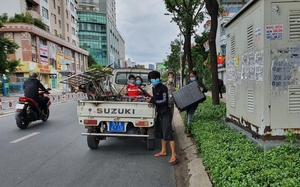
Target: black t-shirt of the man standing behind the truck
<point>160,99</point>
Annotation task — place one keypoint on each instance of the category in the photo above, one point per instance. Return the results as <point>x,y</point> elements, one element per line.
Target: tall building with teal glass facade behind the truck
<point>98,32</point>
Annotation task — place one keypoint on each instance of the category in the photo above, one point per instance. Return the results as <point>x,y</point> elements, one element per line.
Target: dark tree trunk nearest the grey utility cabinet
<point>212,7</point>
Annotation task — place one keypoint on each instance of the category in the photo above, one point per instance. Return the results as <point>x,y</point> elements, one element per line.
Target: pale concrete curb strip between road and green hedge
<point>196,169</point>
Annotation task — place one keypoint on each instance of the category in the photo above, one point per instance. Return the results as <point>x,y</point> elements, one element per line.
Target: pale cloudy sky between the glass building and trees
<point>146,30</point>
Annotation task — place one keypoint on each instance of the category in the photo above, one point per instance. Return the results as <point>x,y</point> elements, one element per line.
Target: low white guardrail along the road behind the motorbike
<point>11,104</point>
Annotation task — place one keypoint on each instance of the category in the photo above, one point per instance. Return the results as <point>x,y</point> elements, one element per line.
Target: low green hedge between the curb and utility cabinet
<point>233,160</point>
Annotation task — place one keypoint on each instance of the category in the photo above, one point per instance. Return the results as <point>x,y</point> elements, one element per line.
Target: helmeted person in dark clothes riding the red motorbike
<point>31,90</point>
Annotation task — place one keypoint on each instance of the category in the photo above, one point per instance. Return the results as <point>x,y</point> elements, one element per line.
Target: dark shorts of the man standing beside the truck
<point>163,128</point>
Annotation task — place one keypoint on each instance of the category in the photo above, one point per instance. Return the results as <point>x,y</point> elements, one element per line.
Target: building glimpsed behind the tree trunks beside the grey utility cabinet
<point>230,7</point>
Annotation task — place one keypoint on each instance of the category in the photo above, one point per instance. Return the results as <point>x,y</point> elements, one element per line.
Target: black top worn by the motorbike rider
<point>31,88</point>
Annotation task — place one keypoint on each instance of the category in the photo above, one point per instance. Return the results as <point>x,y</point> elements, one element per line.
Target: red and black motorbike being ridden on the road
<point>28,111</point>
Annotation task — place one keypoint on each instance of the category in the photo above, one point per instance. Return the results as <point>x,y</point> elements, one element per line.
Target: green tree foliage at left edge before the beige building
<point>7,47</point>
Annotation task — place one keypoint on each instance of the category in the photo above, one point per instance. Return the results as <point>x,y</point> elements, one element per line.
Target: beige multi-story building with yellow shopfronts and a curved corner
<point>53,52</point>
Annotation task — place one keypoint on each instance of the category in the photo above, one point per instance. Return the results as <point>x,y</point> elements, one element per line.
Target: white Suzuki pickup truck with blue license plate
<point>122,118</point>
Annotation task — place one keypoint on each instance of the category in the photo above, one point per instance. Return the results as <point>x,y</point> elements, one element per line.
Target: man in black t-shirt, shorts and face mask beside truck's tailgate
<point>163,126</point>
